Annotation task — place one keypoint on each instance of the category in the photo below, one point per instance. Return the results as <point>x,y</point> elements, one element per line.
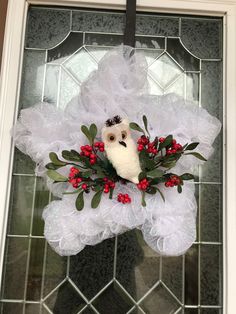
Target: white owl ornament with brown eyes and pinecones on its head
<point>121,149</point>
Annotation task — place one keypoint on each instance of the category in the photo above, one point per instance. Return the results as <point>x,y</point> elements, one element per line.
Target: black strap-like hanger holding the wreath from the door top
<point>129,34</point>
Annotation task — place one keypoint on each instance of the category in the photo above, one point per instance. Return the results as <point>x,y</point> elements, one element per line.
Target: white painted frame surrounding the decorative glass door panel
<point>9,96</point>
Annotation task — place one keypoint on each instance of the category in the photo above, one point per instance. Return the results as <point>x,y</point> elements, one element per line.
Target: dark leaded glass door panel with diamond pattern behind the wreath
<point>120,275</point>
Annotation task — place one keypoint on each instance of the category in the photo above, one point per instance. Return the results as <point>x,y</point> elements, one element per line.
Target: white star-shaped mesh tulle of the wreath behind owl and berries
<point>119,86</point>
